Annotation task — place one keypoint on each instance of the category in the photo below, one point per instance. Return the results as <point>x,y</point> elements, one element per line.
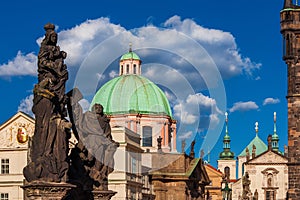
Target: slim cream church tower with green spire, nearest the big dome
<point>226,162</point>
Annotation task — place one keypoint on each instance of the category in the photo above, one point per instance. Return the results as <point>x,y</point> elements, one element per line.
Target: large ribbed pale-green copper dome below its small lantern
<point>132,94</point>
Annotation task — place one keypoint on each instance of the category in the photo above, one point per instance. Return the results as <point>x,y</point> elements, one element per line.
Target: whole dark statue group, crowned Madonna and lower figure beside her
<point>89,163</point>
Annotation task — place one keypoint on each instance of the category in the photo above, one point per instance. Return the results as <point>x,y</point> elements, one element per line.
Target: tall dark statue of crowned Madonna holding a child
<point>50,141</point>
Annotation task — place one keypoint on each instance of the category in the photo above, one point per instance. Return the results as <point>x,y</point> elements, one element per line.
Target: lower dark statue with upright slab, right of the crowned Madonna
<point>92,158</point>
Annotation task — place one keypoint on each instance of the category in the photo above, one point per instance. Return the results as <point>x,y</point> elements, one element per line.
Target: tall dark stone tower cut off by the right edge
<point>290,29</point>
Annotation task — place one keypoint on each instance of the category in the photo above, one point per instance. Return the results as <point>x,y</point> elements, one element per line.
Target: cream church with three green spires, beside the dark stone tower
<point>264,165</point>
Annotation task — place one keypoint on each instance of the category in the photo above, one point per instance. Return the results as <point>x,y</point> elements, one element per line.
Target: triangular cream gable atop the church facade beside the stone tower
<point>268,157</point>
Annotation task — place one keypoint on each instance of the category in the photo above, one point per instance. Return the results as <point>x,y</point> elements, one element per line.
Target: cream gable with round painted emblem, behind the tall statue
<point>16,131</point>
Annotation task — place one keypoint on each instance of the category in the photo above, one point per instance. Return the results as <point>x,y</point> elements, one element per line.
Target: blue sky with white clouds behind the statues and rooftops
<point>241,37</point>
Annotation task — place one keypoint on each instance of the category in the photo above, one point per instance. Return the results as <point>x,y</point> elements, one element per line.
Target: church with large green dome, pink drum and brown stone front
<point>137,105</point>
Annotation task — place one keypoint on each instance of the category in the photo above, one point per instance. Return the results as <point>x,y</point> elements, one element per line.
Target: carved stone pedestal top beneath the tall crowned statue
<point>38,190</point>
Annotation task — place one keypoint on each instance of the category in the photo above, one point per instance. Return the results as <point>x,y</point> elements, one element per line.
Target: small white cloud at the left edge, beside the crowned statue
<point>20,65</point>
